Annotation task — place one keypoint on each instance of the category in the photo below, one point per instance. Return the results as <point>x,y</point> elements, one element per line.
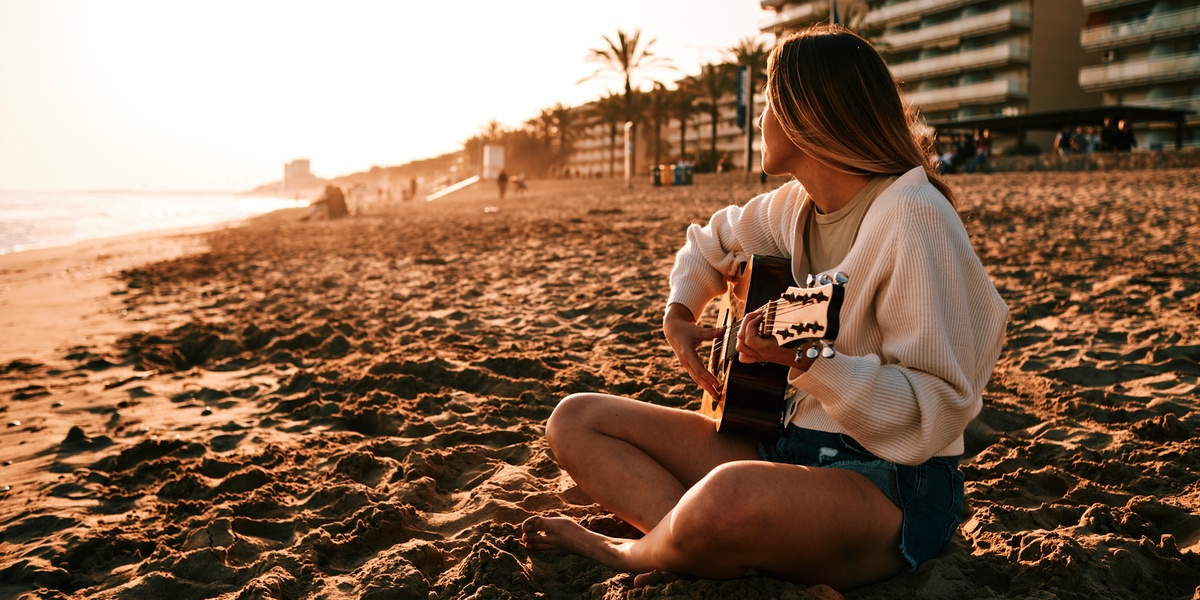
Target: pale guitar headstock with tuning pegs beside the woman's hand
<point>809,313</point>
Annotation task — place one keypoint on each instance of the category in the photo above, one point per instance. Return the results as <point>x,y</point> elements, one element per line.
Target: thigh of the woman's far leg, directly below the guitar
<point>686,443</point>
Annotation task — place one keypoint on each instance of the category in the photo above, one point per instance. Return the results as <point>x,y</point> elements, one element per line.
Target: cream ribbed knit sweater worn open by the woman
<point>922,325</point>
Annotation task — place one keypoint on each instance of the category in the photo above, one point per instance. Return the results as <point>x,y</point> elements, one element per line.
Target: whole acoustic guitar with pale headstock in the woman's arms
<point>753,394</point>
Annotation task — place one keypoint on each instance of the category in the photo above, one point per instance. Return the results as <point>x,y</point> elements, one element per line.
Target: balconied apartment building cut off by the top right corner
<point>1149,55</point>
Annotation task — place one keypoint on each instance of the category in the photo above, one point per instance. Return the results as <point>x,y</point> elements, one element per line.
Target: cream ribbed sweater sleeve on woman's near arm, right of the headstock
<point>925,331</point>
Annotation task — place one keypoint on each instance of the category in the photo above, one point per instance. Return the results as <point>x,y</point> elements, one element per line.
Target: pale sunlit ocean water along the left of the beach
<point>39,220</point>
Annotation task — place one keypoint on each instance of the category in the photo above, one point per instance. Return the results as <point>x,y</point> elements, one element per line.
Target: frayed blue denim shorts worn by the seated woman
<point>929,495</point>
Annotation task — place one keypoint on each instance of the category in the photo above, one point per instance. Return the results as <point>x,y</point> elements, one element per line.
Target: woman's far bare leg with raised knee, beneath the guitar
<point>638,459</point>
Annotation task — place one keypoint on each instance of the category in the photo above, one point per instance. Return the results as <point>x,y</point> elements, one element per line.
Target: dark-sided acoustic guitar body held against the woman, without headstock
<point>752,401</point>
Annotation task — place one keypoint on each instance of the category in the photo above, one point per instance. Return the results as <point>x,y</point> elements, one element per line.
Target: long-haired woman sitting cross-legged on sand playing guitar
<point>863,482</point>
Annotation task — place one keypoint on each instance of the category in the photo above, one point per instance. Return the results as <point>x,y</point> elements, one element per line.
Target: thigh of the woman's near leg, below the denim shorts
<point>803,524</point>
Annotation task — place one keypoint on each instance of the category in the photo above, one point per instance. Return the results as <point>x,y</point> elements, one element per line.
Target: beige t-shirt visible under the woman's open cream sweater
<point>827,238</point>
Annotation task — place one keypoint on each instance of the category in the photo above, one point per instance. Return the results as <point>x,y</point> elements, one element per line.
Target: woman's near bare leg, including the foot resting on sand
<point>806,525</point>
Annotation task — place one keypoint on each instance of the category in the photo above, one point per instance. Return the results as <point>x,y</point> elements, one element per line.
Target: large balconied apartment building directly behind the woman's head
<point>969,59</point>
